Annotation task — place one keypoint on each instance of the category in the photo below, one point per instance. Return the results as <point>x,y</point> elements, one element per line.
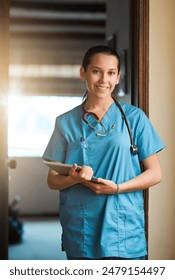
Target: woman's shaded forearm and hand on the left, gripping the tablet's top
<point>59,182</point>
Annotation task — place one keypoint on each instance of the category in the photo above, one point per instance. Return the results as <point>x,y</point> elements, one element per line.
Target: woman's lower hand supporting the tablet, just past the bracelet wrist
<point>102,186</point>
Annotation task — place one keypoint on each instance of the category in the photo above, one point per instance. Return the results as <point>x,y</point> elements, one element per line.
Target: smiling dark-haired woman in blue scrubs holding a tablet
<point>103,219</point>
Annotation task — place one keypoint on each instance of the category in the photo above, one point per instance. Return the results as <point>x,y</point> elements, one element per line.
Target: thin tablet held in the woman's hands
<point>63,168</point>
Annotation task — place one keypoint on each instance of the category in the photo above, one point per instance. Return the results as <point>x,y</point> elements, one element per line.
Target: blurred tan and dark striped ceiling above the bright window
<point>46,35</point>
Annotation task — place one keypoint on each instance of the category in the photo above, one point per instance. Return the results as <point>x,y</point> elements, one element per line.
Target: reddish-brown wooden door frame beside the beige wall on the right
<point>140,68</point>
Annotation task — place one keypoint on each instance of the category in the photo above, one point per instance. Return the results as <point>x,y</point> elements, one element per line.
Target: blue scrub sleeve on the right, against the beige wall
<point>148,140</point>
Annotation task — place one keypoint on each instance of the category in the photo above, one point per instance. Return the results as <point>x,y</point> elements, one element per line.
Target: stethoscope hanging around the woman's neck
<point>133,147</point>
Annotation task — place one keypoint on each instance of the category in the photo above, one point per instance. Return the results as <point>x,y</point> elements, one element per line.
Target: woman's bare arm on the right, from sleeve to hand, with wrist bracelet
<point>151,176</point>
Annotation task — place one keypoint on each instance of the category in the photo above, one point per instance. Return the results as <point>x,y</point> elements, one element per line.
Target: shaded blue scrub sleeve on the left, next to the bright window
<point>56,148</point>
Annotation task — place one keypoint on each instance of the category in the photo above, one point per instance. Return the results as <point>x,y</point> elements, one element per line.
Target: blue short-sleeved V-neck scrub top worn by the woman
<point>96,226</point>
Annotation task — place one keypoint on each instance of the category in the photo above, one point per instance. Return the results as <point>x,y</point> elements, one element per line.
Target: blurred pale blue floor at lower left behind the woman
<point>41,240</point>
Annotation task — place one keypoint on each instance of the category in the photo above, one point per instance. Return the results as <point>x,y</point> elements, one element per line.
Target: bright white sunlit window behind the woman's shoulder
<point>31,121</point>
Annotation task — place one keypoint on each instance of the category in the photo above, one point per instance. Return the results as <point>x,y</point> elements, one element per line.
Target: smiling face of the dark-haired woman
<point>101,75</point>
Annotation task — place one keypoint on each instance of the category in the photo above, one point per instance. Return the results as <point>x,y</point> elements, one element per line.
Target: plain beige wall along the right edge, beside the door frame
<point>162,114</point>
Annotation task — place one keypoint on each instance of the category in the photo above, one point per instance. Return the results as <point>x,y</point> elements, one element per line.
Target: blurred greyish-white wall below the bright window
<point>29,180</point>
